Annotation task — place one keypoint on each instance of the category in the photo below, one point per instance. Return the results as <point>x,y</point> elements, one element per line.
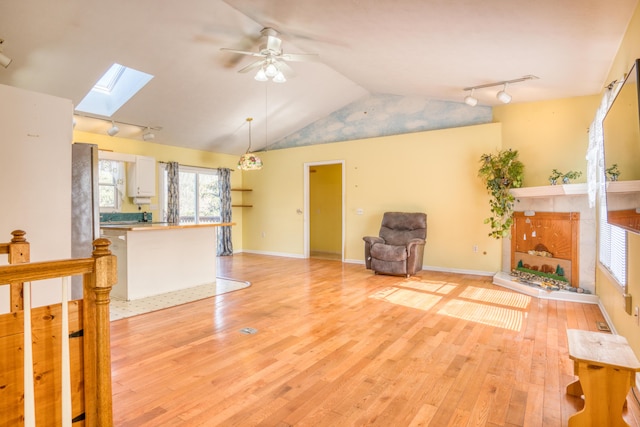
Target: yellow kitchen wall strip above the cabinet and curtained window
<point>166,153</point>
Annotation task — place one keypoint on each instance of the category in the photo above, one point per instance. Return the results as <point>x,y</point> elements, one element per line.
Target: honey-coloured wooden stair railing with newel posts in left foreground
<point>94,356</point>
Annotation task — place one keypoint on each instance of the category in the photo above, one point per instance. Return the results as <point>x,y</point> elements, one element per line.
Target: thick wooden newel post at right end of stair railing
<point>97,341</point>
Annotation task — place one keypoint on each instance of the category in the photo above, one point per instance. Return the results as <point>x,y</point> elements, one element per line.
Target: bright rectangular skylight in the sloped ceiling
<point>113,90</point>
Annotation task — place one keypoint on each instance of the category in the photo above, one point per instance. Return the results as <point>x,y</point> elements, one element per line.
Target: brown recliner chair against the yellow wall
<point>400,248</point>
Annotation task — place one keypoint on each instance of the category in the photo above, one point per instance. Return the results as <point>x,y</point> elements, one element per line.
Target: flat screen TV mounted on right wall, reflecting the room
<point>621,129</point>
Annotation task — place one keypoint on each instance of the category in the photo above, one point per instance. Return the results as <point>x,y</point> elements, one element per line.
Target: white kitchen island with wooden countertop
<point>156,258</point>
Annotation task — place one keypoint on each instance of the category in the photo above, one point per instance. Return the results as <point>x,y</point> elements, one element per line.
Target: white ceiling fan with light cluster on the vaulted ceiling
<point>272,63</point>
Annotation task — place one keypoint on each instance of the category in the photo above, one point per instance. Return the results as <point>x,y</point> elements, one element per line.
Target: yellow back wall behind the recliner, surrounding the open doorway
<point>433,172</point>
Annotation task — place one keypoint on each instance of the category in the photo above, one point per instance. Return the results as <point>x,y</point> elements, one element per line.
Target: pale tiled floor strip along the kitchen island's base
<point>120,309</point>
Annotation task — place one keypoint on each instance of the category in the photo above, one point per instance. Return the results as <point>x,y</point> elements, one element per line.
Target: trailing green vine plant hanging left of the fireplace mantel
<point>501,172</point>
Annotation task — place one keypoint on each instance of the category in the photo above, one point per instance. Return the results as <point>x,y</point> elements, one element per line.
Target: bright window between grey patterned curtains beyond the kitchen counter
<point>199,195</point>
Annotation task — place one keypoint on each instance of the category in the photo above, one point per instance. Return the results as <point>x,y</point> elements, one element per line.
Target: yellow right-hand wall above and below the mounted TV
<point>606,288</point>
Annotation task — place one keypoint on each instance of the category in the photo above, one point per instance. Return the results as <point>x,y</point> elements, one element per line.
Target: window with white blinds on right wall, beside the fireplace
<point>613,247</point>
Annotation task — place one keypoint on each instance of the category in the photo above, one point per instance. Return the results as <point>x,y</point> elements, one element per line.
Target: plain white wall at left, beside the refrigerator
<point>35,177</point>
